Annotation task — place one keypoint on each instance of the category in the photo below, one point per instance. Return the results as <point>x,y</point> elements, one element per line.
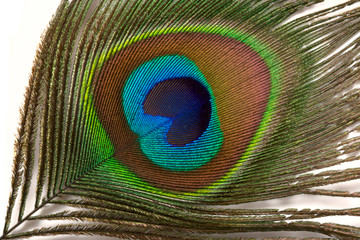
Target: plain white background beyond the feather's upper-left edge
<point>21,24</point>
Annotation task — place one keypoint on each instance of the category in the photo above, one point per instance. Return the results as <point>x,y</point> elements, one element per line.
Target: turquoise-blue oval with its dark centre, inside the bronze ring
<point>169,104</point>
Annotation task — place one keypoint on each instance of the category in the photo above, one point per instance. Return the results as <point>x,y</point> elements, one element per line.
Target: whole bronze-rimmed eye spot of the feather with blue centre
<point>155,136</point>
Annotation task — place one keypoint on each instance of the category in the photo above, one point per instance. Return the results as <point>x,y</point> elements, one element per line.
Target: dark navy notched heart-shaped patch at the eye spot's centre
<point>186,102</point>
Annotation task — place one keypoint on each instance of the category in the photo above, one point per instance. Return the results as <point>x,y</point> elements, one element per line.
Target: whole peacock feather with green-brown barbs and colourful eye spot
<point>166,119</point>
